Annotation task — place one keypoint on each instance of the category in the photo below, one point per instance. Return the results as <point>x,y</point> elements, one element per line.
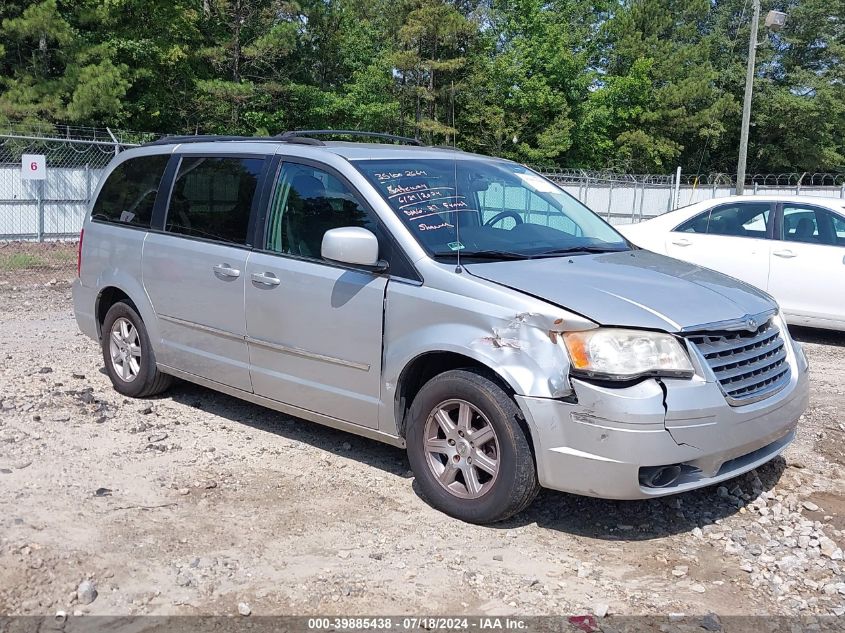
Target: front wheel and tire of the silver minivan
<point>502,479</point>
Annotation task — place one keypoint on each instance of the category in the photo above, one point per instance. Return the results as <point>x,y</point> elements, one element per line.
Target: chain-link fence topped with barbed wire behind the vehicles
<point>40,219</point>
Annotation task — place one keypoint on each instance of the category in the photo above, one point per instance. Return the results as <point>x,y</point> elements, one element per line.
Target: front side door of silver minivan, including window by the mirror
<point>314,328</point>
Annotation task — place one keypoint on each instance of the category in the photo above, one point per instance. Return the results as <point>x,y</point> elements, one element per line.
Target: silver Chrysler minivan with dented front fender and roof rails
<point>460,306</point>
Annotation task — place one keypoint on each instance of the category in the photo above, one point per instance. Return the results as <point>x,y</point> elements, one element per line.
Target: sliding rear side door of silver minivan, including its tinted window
<point>194,271</point>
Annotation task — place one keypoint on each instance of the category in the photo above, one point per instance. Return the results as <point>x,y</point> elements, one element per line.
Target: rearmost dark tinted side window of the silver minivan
<point>128,196</point>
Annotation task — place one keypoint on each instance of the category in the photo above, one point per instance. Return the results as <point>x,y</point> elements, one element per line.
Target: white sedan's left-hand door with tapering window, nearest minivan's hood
<point>732,238</point>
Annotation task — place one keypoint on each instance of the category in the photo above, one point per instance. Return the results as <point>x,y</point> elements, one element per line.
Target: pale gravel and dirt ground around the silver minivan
<point>198,503</point>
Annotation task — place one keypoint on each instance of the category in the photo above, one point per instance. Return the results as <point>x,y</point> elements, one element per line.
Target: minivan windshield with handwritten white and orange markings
<point>487,209</point>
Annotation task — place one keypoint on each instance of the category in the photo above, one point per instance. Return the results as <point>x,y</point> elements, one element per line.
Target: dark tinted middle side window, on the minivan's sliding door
<point>212,197</point>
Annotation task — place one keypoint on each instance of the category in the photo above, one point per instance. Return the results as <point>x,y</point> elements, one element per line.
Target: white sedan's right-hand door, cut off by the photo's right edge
<point>808,263</point>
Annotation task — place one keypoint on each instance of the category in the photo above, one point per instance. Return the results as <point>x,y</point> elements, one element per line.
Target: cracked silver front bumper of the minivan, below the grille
<point>598,446</point>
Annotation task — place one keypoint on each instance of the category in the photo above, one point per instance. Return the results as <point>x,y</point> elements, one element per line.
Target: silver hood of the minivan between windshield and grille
<point>631,288</point>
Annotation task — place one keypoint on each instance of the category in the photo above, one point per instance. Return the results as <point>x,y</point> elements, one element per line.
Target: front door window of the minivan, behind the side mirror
<point>307,203</point>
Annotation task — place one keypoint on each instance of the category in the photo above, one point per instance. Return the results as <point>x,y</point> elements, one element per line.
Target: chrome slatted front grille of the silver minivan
<point>749,366</point>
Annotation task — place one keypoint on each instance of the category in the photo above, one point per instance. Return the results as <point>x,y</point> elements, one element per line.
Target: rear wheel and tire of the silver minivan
<point>133,371</point>
